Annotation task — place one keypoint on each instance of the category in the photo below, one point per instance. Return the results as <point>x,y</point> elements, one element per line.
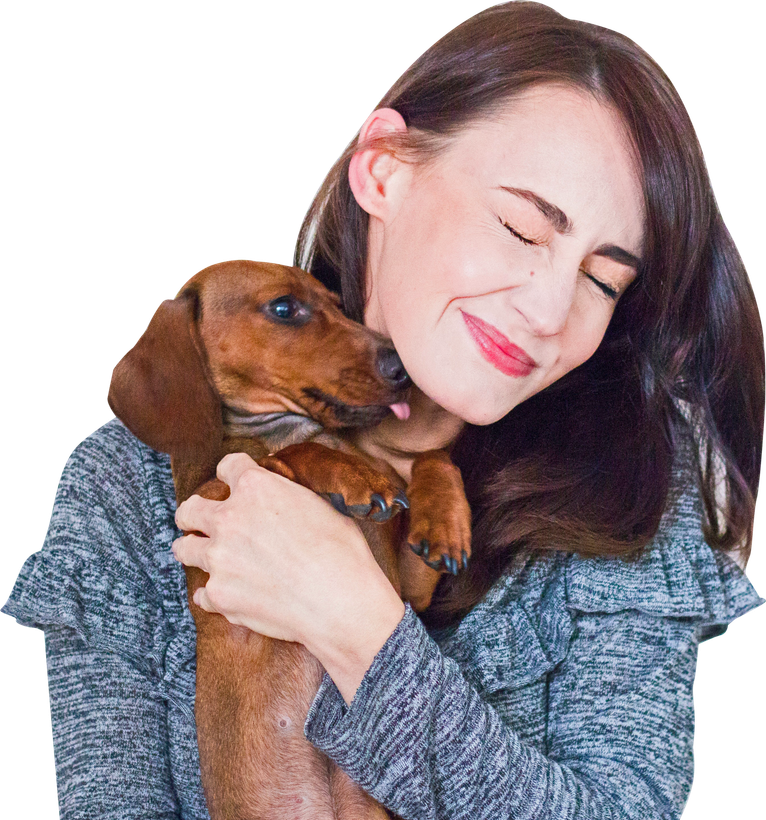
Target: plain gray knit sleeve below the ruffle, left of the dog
<point>110,735</point>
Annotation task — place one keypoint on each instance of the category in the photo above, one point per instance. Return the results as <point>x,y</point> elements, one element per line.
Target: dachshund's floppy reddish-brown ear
<point>160,389</point>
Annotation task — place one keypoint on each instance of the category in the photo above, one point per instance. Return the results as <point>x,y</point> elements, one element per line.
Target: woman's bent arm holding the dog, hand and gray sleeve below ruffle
<point>417,735</point>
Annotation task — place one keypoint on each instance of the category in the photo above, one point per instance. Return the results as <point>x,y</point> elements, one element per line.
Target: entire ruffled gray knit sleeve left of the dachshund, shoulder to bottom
<point>102,589</point>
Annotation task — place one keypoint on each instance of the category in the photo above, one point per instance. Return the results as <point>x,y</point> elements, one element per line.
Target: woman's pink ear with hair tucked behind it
<point>373,172</point>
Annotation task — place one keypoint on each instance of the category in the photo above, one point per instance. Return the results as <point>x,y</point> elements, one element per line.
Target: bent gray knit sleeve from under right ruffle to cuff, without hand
<point>432,748</point>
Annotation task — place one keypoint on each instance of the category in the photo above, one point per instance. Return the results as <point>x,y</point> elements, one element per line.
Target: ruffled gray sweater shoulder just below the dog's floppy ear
<point>105,568</point>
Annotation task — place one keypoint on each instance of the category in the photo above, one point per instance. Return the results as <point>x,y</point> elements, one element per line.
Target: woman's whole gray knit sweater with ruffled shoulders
<point>568,692</point>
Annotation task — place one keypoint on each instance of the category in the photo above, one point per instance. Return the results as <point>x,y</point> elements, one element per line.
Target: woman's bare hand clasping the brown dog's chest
<point>284,563</point>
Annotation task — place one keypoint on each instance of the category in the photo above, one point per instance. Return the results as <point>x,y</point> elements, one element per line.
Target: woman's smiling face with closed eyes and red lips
<point>495,270</point>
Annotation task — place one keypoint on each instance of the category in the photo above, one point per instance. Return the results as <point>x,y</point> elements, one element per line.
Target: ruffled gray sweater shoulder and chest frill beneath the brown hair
<point>522,628</point>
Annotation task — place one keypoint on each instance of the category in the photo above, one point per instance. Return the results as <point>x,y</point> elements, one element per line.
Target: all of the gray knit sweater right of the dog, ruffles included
<point>567,693</point>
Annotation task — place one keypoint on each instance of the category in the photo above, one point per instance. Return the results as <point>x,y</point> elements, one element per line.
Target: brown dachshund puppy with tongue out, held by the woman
<point>257,357</point>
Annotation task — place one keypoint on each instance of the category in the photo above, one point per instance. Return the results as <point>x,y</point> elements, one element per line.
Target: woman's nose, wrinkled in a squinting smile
<point>546,299</point>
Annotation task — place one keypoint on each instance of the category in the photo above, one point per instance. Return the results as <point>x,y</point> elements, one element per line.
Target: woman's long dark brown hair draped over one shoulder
<point>585,465</point>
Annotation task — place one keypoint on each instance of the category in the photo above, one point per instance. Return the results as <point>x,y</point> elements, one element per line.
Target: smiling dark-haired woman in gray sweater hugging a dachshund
<point>528,216</point>
